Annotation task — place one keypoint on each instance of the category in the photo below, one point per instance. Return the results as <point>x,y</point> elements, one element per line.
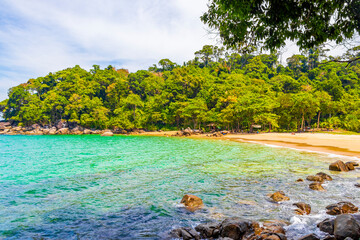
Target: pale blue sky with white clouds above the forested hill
<point>42,36</point>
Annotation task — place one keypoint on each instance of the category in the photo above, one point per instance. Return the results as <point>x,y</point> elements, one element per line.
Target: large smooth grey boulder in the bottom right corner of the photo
<point>346,226</point>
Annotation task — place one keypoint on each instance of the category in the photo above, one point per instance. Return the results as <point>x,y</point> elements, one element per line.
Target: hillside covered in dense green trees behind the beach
<point>218,89</point>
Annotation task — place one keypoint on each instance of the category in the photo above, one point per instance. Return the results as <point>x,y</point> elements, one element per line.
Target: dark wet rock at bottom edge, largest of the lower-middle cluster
<point>235,228</point>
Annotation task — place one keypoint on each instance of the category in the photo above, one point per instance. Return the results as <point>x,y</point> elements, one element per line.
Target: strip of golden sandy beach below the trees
<point>346,145</point>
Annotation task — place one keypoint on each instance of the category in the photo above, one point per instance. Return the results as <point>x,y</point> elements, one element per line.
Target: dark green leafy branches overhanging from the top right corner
<point>268,23</point>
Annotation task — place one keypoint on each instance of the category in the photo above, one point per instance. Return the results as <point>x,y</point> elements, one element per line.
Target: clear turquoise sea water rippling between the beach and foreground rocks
<point>129,187</point>
